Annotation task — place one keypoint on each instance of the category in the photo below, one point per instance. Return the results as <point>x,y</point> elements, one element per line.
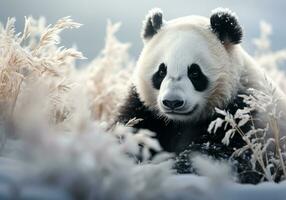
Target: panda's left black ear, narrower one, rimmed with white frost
<point>152,23</point>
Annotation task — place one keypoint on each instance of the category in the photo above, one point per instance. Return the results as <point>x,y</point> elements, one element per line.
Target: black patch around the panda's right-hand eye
<point>197,77</point>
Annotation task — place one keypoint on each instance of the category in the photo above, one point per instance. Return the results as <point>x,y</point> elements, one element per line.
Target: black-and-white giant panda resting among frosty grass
<point>187,68</point>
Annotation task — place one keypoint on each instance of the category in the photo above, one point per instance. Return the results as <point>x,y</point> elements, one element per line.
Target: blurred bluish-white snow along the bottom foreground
<point>17,181</point>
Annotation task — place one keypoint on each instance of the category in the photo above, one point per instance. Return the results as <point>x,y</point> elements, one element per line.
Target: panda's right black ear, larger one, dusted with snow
<point>225,25</point>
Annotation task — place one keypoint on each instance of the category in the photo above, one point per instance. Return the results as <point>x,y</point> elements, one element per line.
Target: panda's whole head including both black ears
<point>189,65</point>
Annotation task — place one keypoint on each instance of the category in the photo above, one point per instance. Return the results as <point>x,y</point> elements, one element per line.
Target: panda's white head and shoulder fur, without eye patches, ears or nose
<point>179,43</point>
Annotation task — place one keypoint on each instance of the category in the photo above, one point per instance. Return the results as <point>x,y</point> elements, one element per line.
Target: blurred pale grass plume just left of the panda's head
<point>108,76</point>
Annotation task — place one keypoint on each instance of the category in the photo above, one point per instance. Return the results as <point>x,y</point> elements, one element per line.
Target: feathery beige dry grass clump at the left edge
<point>24,62</point>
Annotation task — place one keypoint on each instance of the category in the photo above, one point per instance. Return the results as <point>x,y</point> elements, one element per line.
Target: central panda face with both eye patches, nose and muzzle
<point>181,90</point>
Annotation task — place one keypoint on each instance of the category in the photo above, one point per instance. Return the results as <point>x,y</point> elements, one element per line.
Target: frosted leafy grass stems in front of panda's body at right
<point>266,145</point>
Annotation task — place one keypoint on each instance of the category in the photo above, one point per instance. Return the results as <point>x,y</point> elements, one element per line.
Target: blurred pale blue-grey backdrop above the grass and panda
<point>94,15</point>
